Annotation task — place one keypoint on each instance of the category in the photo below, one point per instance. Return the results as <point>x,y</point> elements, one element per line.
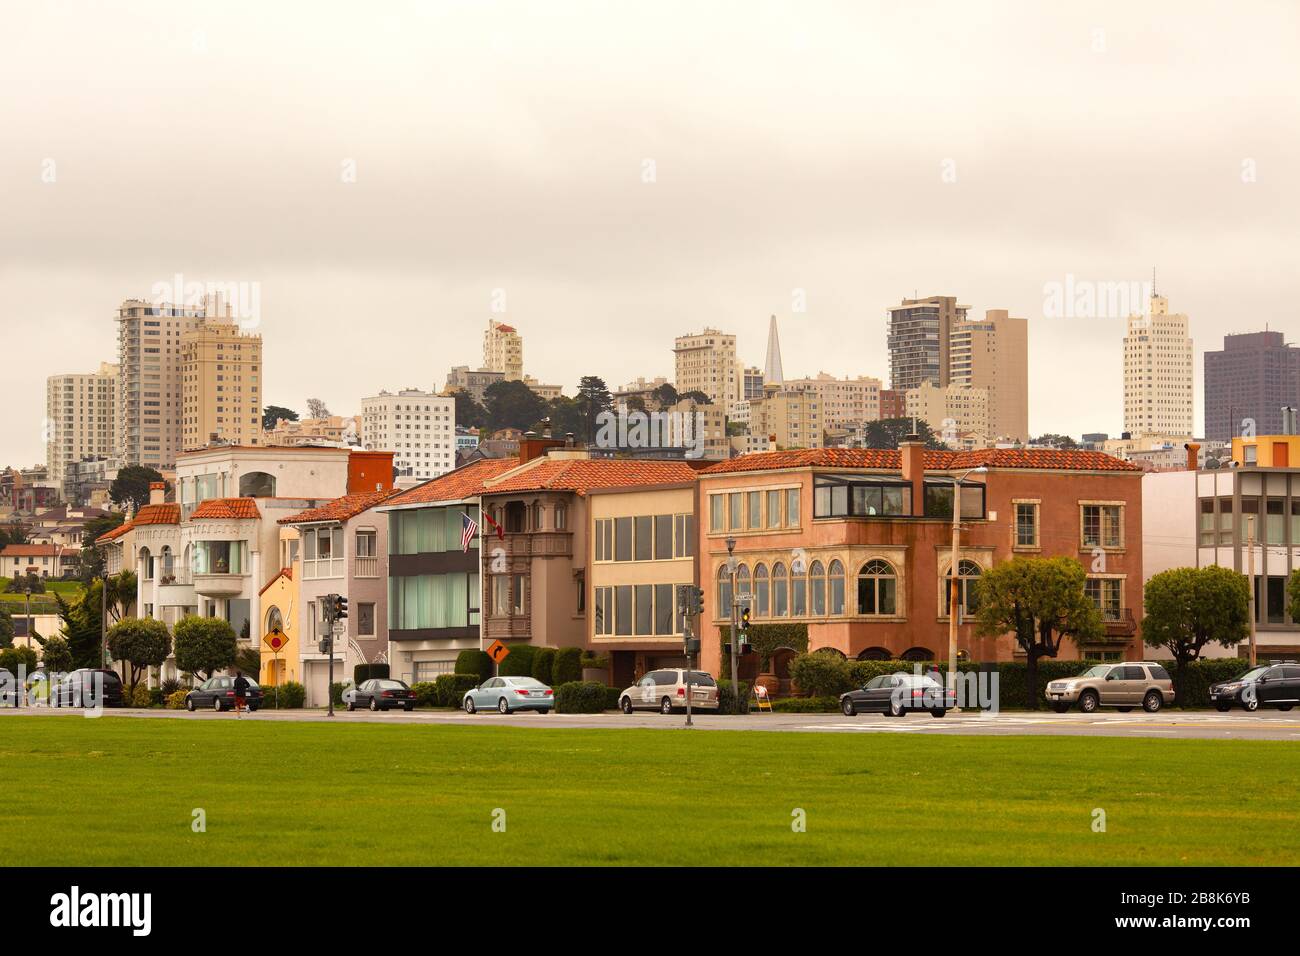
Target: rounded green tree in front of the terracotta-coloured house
<point>1041,602</point>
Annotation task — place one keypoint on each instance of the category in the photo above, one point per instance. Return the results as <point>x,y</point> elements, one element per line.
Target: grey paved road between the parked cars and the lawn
<point>1168,725</point>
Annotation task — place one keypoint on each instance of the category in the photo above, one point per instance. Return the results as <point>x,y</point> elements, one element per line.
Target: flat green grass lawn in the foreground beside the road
<point>123,791</point>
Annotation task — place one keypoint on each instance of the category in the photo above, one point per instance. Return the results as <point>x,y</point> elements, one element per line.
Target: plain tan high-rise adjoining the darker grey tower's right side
<point>994,354</point>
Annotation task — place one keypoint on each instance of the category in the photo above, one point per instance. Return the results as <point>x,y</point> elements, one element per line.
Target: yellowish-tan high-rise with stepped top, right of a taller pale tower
<point>223,383</point>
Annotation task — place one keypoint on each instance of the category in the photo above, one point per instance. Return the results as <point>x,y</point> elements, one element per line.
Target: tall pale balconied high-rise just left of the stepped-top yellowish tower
<point>150,379</point>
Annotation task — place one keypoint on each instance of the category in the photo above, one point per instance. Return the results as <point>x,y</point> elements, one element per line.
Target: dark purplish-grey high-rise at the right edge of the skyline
<point>1250,380</point>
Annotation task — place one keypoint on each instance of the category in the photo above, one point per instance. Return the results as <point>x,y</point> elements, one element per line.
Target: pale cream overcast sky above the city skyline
<point>629,172</point>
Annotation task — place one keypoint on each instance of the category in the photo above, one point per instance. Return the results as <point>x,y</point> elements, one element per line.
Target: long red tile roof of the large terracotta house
<point>935,460</point>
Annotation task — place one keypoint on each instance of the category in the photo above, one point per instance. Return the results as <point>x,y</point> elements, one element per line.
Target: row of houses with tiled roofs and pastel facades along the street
<point>575,551</point>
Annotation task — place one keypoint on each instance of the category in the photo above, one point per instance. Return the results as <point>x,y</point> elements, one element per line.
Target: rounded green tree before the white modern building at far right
<point>1188,608</point>
